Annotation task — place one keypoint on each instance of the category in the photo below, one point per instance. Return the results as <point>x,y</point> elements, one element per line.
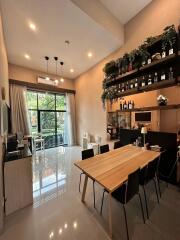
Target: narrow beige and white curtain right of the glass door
<point>70,123</point>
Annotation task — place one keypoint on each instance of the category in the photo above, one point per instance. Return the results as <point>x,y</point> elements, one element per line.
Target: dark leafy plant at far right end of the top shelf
<point>169,37</point>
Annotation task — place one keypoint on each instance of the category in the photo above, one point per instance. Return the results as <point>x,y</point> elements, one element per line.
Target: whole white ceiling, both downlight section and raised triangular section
<point>57,21</point>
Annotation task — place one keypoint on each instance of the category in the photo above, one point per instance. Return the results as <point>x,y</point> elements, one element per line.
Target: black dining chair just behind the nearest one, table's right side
<point>147,174</point>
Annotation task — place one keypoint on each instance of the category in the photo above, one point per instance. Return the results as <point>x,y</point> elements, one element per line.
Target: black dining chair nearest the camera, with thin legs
<point>126,192</point>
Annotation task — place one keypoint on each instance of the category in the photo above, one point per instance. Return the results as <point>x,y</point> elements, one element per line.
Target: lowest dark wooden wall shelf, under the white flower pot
<point>153,108</point>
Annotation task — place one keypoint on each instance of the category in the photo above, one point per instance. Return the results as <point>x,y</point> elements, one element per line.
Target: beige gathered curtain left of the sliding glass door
<point>19,111</point>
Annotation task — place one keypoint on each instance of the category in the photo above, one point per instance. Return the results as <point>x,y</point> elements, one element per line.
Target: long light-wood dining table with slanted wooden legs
<point>111,169</point>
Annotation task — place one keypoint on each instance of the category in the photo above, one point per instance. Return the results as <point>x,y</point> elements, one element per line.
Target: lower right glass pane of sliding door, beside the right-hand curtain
<point>61,136</point>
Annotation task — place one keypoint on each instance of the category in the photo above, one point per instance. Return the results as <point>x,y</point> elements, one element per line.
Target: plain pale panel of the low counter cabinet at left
<point>18,184</point>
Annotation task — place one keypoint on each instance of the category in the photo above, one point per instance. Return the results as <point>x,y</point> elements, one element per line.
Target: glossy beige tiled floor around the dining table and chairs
<point>58,213</point>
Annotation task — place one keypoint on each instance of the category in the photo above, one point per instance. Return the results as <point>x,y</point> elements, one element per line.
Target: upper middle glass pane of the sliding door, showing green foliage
<point>46,101</point>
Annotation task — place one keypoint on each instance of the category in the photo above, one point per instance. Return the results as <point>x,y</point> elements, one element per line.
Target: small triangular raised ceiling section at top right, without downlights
<point>124,10</point>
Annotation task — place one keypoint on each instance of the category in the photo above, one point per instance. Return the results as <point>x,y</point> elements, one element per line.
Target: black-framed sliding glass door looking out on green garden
<point>47,114</point>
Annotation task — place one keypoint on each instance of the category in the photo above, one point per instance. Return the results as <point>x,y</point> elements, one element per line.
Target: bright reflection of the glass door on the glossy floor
<point>49,174</point>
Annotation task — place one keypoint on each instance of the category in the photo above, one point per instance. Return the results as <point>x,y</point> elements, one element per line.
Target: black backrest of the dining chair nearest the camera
<point>132,185</point>
